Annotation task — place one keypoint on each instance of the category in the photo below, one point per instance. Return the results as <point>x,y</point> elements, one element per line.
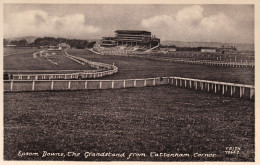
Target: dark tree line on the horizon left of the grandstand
<point>51,41</point>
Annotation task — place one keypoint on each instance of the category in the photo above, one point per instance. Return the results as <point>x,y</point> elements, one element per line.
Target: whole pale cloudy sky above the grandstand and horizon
<point>205,23</point>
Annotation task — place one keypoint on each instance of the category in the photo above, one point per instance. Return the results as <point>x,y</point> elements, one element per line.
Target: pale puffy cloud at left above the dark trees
<point>40,23</point>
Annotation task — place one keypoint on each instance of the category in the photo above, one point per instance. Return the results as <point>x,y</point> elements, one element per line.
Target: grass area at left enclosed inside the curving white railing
<point>25,61</point>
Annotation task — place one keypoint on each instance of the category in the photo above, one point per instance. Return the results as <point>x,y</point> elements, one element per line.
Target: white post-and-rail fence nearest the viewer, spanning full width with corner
<point>223,88</point>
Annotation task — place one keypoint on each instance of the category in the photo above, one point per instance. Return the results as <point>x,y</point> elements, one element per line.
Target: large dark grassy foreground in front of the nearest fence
<point>143,120</point>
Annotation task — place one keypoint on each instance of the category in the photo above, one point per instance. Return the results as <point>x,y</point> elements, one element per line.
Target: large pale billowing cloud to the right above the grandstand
<point>189,24</point>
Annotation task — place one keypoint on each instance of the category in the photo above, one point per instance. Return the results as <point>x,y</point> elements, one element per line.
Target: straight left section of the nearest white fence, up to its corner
<point>43,85</point>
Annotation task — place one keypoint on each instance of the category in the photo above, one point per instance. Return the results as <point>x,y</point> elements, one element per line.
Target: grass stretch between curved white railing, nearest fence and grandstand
<point>133,67</point>
